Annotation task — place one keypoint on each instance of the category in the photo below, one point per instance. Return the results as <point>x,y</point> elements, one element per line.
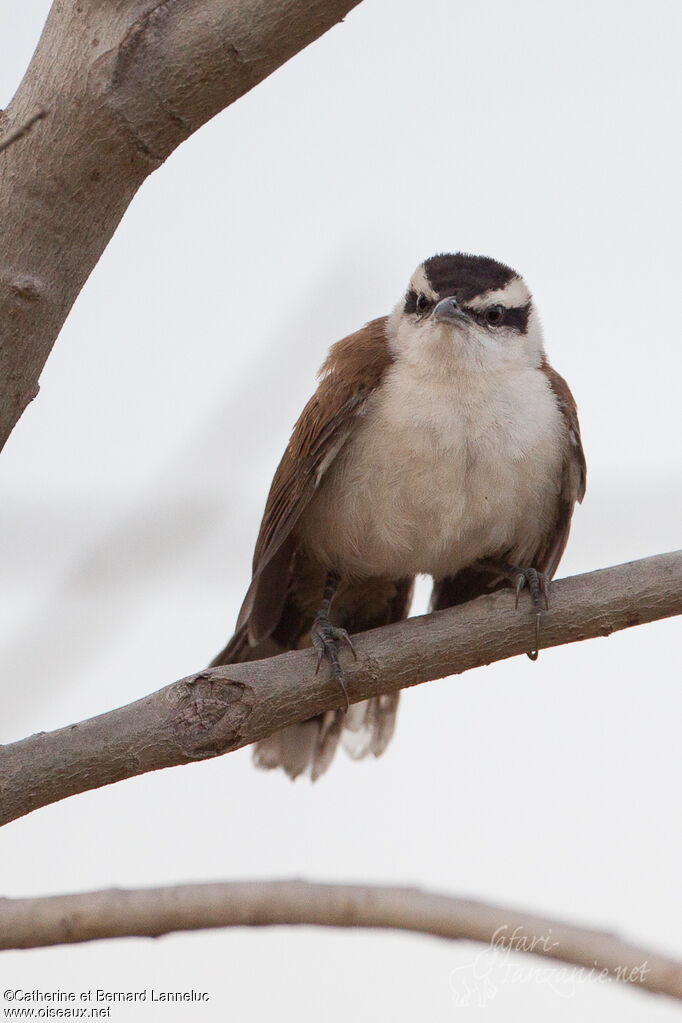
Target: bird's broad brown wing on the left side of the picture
<point>352,371</point>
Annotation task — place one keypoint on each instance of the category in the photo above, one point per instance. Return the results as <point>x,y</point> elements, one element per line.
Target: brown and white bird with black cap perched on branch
<point>439,442</point>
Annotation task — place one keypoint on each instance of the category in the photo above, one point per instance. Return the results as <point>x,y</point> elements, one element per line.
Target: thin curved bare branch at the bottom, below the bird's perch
<point>33,923</point>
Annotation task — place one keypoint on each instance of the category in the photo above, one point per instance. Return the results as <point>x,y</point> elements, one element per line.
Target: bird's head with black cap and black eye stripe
<point>463,312</point>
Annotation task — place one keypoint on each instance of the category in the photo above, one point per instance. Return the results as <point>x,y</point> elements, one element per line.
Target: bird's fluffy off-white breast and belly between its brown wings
<point>440,473</point>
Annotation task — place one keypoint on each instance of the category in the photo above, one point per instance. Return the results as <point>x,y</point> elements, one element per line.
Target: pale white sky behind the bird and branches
<point>545,137</point>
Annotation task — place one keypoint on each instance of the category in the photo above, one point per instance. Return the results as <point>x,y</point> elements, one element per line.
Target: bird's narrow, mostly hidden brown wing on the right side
<point>473,583</point>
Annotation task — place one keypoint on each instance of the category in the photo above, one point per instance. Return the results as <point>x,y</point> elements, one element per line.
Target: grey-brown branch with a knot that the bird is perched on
<point>221,709</point>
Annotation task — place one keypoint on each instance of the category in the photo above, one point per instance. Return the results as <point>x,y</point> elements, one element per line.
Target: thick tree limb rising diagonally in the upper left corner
<point>126,84</point>
